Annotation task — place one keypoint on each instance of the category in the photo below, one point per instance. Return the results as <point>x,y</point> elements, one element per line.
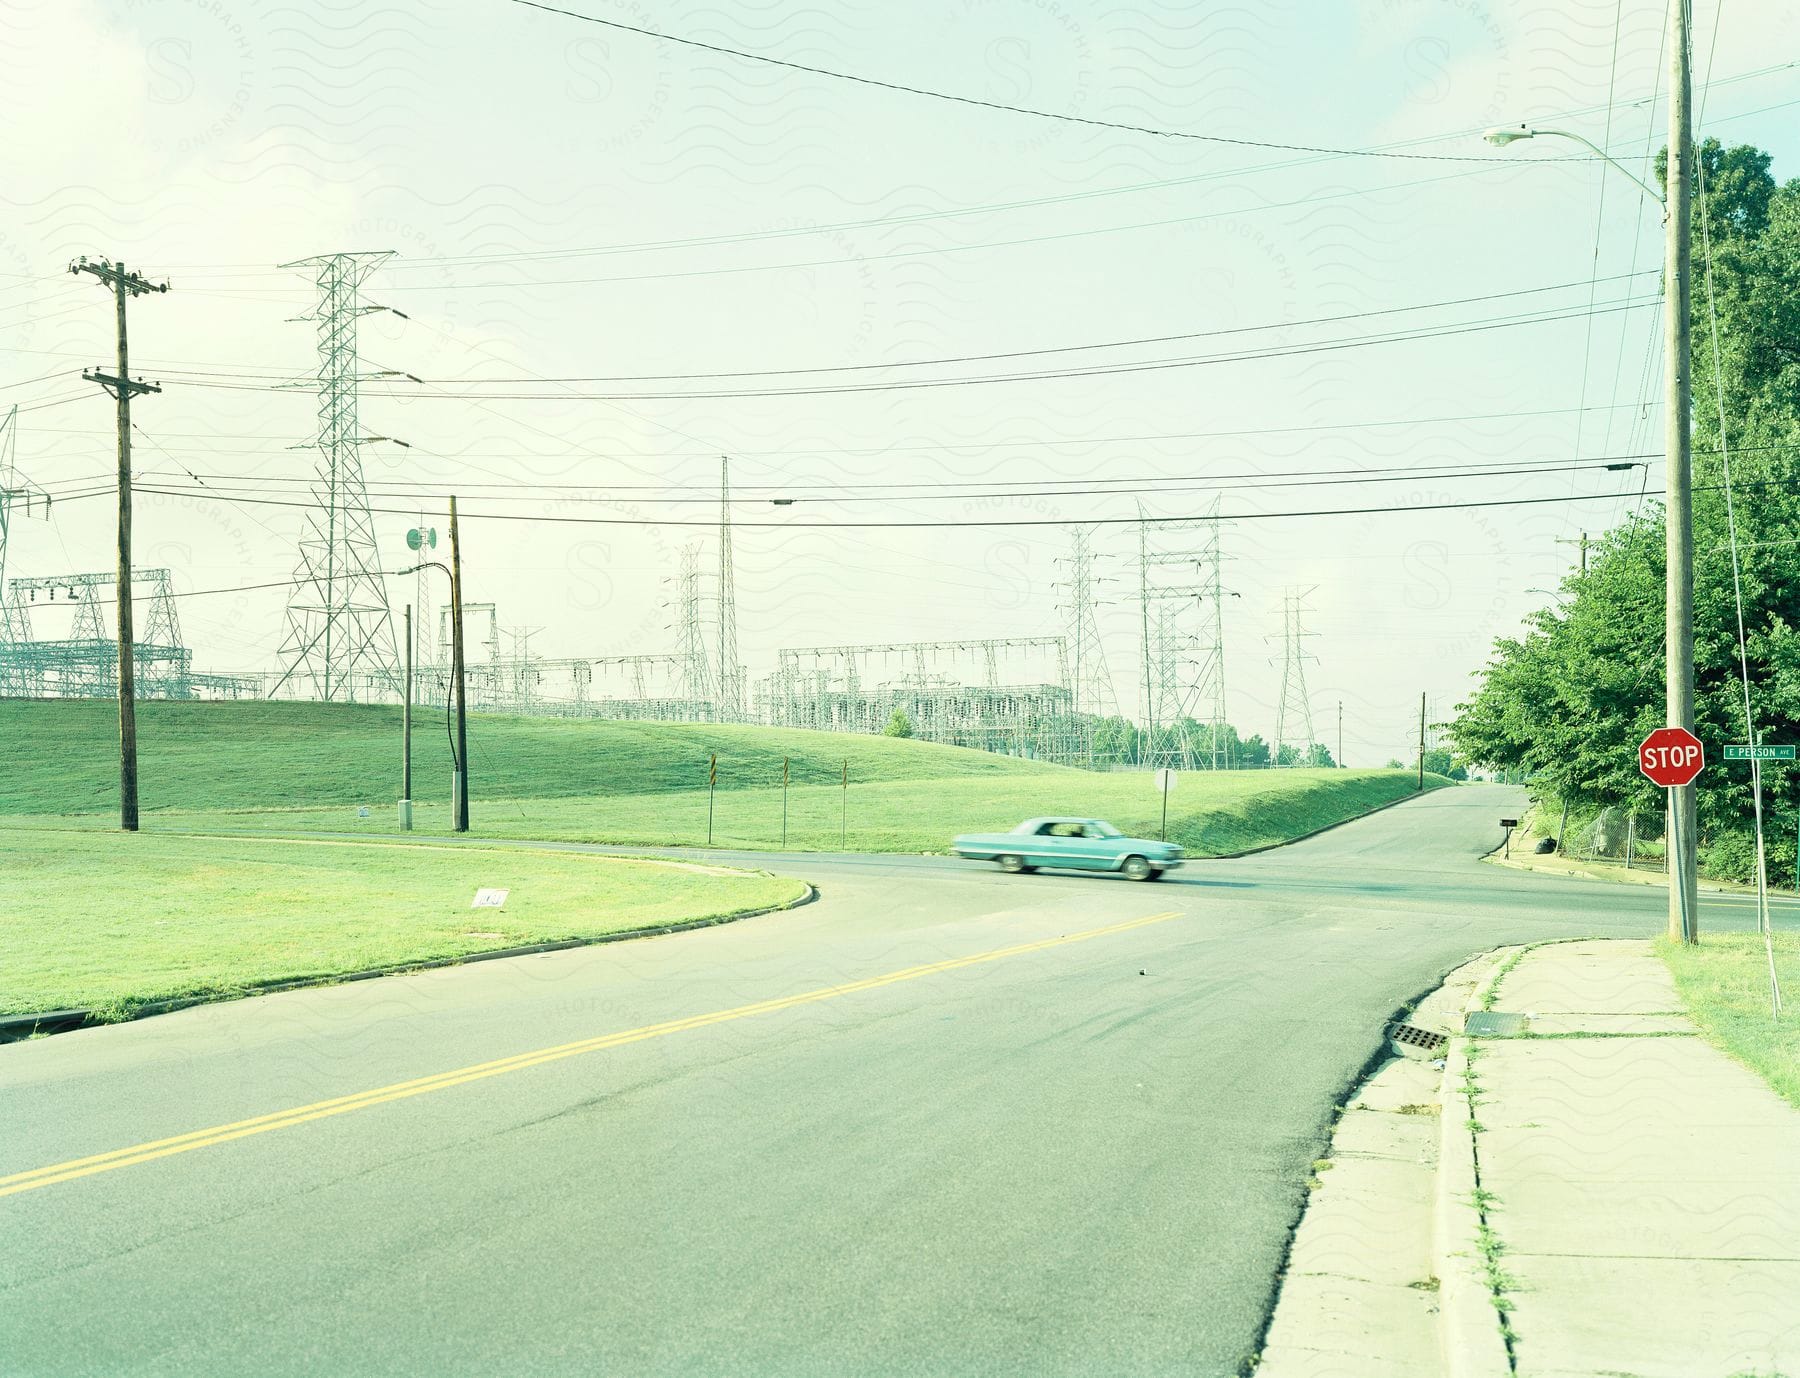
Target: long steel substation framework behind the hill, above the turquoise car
<point>861,688</point>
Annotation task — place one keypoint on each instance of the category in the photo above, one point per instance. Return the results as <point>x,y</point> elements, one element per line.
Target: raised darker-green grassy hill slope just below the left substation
<point>62,756</point>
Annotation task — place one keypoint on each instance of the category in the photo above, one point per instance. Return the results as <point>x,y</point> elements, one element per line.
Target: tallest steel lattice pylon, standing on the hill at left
<point>341,632</point>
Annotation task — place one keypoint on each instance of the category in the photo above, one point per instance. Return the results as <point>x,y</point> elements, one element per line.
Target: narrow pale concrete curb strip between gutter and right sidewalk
<point>1468,1321</point>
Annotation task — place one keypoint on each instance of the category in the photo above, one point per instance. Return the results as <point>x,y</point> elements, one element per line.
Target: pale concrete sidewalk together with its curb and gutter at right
<point>1578,1185</point>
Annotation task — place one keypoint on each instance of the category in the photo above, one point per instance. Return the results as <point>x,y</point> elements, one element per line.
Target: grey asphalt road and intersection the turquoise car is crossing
<point>1012,1125</point>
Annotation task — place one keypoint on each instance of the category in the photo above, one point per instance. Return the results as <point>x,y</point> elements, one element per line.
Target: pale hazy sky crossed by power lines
<point>575,202</point>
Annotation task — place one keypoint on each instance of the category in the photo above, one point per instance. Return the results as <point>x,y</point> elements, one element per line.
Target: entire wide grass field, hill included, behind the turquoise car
<point>307,767</point>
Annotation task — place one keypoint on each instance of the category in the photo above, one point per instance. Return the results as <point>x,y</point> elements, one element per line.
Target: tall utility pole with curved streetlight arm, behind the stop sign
<point>1678,611</point>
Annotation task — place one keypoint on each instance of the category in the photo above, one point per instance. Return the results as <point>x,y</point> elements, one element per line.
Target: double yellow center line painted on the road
<point>400,1091</point>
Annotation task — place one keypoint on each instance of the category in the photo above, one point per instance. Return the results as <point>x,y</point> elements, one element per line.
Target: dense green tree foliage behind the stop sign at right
<point>1574,695</point>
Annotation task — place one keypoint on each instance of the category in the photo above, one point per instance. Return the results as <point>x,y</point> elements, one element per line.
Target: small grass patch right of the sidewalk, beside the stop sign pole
<point>1725,987</point>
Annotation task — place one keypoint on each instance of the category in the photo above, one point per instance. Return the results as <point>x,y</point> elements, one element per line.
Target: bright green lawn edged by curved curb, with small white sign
<point>112,922</point>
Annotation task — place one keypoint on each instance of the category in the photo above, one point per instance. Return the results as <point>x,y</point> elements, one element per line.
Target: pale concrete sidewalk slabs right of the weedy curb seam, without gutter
<point>1648,1188</point>
